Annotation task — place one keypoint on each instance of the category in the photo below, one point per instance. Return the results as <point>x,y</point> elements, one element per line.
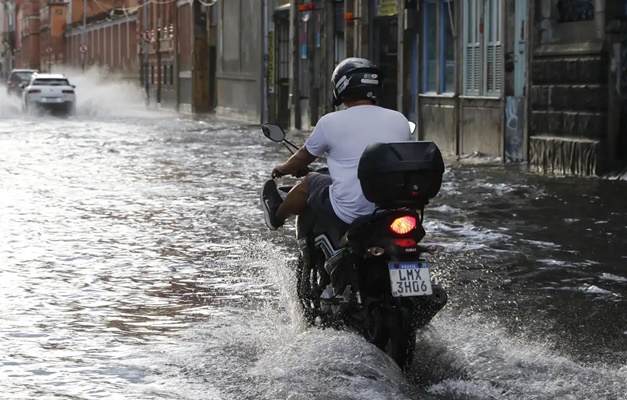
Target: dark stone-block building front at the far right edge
<point>578,86</point>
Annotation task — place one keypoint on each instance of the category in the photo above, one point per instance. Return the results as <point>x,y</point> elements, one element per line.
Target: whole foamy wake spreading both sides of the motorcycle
<point>267,353</point>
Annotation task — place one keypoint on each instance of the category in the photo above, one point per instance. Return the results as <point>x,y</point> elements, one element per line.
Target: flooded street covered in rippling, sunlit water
<point>135,264</point>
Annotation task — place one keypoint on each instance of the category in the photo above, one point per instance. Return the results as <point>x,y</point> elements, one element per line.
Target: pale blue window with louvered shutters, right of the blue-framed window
<point>483,54</point>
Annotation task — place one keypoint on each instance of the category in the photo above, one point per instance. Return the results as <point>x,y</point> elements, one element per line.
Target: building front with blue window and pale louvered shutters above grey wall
<point>464,79</point>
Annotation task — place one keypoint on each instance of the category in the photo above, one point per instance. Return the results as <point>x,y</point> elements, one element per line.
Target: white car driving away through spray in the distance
<point>51,92</point>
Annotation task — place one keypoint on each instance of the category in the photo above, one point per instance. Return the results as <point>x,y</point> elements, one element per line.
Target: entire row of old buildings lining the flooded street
<point>537,81</point>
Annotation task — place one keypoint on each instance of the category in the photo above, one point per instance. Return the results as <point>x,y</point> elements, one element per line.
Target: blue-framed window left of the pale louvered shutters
<point>438,46</point>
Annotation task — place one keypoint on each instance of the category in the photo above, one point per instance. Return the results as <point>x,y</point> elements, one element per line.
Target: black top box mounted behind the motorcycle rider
<point>402,174</point>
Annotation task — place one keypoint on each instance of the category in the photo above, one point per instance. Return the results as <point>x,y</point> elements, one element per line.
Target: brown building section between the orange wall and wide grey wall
<point>176,50</point>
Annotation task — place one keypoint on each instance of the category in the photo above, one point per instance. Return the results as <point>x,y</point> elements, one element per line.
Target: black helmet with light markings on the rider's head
<point>356,79</point>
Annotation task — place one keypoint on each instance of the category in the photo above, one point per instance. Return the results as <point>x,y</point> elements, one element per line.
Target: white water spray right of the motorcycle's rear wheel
<point>489,363</point>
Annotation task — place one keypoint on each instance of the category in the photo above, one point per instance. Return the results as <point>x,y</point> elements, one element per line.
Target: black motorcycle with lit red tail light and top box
<point>370,275</point>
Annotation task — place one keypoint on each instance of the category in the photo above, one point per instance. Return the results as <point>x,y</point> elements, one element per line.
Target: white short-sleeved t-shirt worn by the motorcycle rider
<point>344,135</point>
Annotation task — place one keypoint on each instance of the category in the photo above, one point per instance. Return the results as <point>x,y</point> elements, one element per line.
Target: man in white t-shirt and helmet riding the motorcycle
<point>343,135</point>
